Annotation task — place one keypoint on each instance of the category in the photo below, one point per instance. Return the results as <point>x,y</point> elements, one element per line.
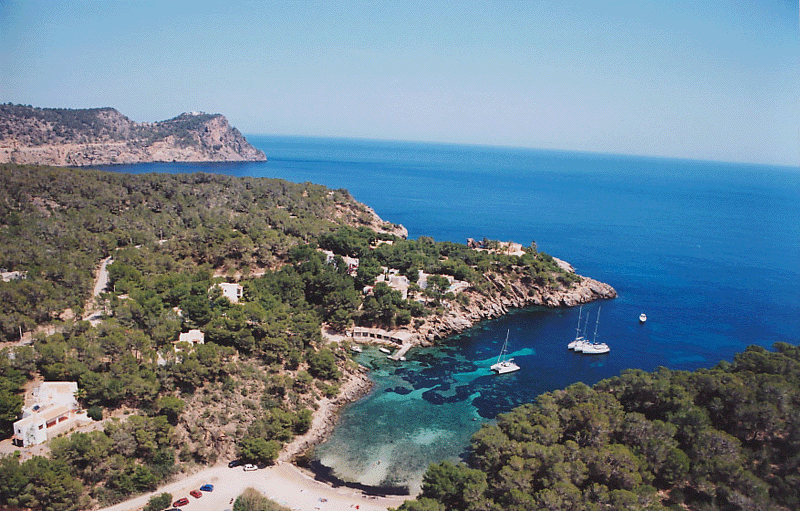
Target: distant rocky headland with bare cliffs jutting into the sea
<point>101,136</point>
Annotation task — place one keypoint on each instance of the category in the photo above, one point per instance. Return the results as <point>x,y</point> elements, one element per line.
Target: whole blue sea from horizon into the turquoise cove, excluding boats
<point>709,251</point>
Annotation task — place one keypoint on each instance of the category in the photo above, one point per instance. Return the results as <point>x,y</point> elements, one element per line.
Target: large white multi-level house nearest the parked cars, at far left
<point>50,409</point>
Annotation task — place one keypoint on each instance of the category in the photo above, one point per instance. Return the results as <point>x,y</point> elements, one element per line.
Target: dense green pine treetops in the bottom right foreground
<point>725,438</point>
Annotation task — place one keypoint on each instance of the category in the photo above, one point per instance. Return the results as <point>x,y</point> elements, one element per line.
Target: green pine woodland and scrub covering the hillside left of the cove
<point>251,386</point>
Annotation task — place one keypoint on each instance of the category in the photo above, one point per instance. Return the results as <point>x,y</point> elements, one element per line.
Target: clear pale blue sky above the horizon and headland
<point>707,79</point>
